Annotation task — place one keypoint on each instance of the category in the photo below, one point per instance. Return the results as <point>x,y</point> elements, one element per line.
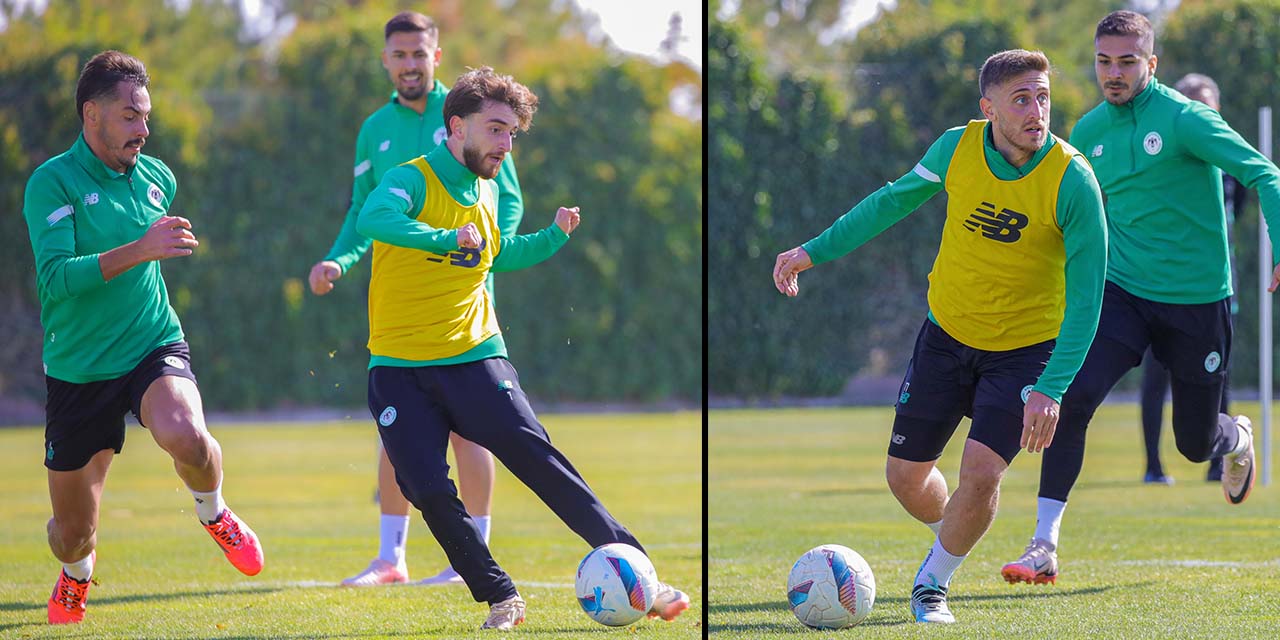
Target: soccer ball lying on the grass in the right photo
<point>831,587</point>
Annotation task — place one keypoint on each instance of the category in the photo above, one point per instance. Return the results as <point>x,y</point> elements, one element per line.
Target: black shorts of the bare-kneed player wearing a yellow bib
<point>948,381</point>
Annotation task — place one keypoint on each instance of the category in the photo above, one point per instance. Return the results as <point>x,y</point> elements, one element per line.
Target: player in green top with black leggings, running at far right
<point>1158,156</point>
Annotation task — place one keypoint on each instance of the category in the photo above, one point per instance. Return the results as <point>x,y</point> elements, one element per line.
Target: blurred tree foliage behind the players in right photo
<point>794,145</point>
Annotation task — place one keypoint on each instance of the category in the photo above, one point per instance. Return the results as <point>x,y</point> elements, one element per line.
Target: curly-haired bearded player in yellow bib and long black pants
<point>438,360</point>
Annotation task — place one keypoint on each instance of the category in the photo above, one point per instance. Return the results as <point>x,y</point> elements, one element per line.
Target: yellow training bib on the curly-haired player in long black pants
<point>429,307</point>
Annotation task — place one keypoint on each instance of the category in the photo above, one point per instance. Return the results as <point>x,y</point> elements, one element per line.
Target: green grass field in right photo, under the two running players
<point>1137,561</point>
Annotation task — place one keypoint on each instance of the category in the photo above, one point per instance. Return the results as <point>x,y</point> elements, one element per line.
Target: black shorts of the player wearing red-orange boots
<point>85,419</point>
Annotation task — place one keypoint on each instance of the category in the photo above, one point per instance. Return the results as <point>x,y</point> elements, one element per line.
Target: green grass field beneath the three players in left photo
<point>308,492</point>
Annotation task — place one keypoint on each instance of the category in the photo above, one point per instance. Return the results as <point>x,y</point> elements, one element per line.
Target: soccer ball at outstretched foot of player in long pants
<point>616,584</point>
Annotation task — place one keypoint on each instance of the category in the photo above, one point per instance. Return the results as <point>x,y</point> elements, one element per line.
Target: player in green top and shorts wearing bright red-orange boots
<point>99,218</point>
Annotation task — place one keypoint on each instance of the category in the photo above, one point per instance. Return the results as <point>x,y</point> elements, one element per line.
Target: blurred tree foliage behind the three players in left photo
<point>260,132</point>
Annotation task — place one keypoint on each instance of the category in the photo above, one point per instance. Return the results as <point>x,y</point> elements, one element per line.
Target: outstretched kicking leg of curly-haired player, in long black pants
<point>495,413</point>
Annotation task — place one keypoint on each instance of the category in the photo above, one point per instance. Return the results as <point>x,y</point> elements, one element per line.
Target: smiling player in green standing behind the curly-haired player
<point>410,126</point>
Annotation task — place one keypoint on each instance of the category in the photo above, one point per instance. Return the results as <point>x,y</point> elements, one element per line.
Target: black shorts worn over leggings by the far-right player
<point>1192,341</point>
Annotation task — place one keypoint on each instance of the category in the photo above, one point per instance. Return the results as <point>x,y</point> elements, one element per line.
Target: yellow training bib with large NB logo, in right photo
<point>999,281</point>
